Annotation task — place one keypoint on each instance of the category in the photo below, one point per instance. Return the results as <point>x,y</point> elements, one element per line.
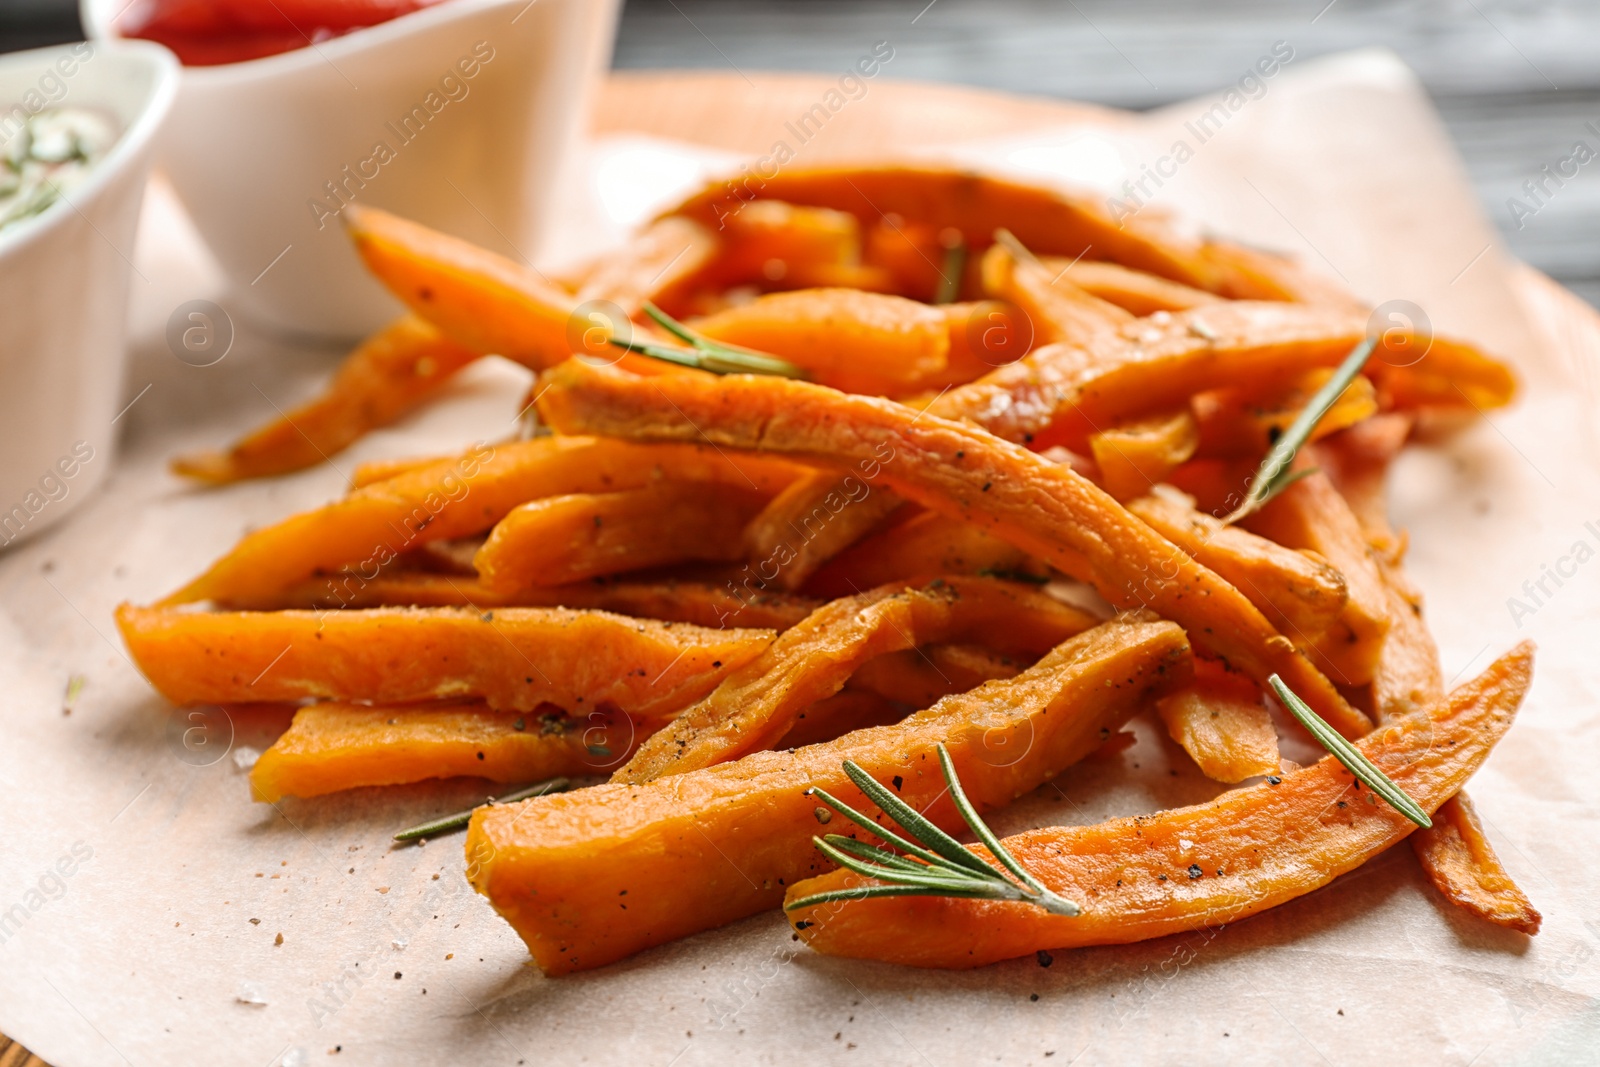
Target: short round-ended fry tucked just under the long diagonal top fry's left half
<point>564,540</point>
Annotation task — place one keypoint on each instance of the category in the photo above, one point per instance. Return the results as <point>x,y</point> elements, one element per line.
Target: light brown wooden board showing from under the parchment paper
<point>729,113</point>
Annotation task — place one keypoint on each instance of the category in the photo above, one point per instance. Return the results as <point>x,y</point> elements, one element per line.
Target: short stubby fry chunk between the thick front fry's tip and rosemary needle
<point>1220,721</point>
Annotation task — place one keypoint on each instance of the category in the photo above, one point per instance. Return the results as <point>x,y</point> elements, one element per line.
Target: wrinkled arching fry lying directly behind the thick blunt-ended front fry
<point>810,661</point>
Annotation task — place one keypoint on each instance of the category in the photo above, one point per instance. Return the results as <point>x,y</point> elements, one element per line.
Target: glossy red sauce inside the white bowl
<point>210,33</point>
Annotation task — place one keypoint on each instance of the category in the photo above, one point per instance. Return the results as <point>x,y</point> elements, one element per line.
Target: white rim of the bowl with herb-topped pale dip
<point>130,145</point>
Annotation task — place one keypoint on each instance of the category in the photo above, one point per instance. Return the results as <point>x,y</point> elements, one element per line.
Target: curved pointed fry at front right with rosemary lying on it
<point>1217,863</point>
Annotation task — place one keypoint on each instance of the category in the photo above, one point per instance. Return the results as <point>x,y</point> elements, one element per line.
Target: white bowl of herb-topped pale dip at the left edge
<point>65,282</point>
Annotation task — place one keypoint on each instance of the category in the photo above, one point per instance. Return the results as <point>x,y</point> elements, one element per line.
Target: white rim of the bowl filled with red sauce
<point>98,18</point>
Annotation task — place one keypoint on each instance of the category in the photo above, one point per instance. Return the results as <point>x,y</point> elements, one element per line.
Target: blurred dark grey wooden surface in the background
<point>1516,81</point>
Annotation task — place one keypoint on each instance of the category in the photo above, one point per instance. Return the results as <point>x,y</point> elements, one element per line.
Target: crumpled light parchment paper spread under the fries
<point>150,949</point>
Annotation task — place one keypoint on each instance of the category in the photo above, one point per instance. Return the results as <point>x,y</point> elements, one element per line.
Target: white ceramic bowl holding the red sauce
<point>255,146</point>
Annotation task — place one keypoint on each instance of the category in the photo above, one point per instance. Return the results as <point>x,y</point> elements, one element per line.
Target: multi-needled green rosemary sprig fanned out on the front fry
<point>934,863</point>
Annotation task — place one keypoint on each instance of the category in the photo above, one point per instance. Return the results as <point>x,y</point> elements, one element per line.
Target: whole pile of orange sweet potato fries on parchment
<point>991,500</point>
